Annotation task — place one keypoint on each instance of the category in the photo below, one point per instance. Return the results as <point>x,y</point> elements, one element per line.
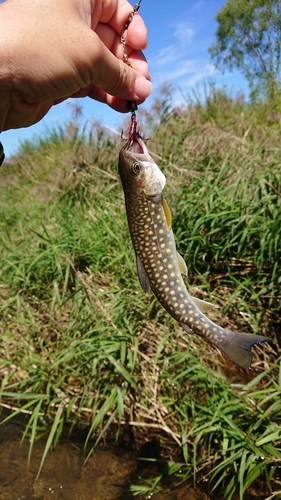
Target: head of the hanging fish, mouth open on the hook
<point>139,173</point>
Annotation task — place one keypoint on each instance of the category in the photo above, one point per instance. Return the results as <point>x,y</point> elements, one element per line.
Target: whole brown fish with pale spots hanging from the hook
<point>160,267</point>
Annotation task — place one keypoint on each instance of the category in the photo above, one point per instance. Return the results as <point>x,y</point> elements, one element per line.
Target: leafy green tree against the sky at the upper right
<point>249,38</point>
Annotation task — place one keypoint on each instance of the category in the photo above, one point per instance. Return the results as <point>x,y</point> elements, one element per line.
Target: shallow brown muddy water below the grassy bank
<point>106,475</point>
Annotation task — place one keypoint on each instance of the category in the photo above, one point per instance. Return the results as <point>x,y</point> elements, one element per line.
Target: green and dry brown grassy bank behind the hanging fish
<point>81,345</point>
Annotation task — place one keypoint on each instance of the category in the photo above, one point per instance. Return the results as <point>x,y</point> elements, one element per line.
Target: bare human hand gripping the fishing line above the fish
<point>57,49</point>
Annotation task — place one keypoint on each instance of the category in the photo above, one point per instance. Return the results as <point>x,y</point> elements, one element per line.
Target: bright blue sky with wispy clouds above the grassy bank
<point>180,32</point>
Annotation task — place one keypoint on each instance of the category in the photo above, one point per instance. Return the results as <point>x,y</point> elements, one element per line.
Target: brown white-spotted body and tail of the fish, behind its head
<point>154,245</point>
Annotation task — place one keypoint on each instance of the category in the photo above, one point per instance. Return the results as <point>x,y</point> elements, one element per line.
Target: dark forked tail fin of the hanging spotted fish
<point>238,347</point>
